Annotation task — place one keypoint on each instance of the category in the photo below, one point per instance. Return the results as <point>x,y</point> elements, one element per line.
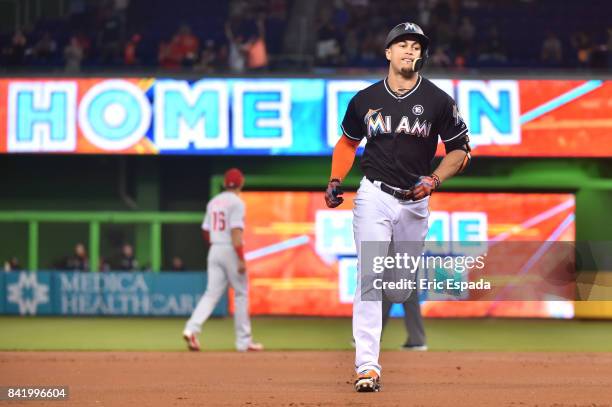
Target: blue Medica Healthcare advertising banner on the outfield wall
<point>108,293</point>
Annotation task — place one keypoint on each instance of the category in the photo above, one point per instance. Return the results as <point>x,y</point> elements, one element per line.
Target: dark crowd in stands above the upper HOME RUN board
<point>238,36</point>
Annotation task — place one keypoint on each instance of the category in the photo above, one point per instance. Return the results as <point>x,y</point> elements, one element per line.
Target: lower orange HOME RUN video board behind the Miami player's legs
<point>302,258</point>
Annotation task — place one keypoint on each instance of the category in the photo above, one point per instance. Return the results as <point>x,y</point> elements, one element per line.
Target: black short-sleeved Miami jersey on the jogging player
<point>402,131</point>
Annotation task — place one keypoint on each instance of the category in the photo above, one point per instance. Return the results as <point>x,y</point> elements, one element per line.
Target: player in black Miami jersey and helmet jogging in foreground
<point>401,117</point>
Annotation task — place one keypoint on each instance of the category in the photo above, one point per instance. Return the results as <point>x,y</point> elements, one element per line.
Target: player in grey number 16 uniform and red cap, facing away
<point>222,228</point>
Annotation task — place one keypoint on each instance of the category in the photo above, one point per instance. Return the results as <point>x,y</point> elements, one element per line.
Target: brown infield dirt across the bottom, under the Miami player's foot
<point>314,378</point>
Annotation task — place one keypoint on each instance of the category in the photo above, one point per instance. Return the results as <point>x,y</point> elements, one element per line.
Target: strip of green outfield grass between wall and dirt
<point>40,333</point>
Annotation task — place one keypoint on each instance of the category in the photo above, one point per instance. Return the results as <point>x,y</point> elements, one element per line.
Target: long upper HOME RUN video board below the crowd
<point>289,116</point>
